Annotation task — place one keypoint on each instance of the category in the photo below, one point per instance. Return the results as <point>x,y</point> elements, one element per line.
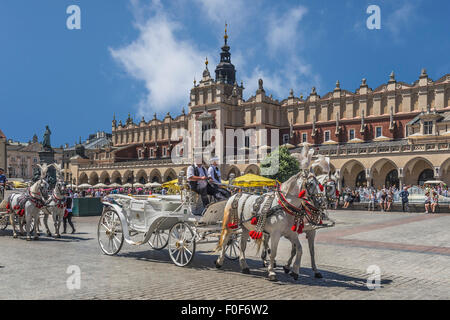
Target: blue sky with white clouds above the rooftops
<point>141,56</point>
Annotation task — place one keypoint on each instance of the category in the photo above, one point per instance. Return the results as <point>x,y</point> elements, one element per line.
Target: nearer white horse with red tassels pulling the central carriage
<point>286,219</point>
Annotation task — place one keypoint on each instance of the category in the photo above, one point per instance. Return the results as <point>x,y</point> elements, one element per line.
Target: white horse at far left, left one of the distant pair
<point>28,205</point>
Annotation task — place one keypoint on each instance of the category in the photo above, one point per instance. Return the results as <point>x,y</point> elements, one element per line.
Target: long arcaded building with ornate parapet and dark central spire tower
<point>395,134</point>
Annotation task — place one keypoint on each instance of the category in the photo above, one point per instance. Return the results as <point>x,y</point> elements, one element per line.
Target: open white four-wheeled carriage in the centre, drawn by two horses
<point>171,221</point>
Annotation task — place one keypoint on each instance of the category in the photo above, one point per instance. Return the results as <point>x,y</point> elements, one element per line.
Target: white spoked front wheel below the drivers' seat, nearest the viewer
<point>181,244</point>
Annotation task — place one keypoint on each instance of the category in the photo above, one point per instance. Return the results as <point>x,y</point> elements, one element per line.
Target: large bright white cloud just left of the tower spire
<point>165,63</point>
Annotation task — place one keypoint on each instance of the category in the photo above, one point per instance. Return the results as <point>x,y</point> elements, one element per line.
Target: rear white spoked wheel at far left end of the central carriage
<point>110,233</point>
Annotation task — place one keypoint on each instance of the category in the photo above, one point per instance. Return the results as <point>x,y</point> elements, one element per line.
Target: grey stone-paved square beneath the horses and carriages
<point>411,250</point>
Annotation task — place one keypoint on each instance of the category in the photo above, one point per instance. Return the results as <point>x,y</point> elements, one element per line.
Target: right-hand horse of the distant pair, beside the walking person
<point>55,206</point>
